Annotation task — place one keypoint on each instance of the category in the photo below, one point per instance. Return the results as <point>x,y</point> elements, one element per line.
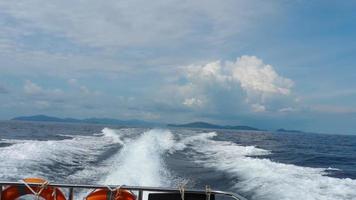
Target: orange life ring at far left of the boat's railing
<point>48,193</point>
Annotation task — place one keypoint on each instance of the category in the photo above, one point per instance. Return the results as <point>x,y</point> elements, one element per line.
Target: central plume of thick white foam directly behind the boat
<point>140,162</point>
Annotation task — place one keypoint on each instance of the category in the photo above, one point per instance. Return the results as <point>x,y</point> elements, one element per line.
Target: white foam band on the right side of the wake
<point>265,179</point>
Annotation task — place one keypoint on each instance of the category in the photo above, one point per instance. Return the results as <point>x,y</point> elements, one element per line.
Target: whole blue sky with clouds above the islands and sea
<point>269,64</point>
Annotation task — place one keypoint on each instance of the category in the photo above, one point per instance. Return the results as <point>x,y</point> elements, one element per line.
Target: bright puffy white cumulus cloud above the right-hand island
<point>247,79</point>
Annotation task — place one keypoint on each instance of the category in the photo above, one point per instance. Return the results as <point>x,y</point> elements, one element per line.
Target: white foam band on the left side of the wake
<point>29,158</point>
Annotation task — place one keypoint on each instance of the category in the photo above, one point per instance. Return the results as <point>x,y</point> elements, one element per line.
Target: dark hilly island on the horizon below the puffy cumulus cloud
<point>212,126</point>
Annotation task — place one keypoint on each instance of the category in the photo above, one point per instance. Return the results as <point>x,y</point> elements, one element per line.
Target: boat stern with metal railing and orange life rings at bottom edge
<point>42,189</point>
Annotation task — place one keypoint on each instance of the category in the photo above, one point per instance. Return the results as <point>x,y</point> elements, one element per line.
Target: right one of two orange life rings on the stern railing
<point>105,194</point>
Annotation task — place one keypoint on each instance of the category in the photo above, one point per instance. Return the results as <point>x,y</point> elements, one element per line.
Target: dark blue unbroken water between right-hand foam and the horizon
<point>303,149</point>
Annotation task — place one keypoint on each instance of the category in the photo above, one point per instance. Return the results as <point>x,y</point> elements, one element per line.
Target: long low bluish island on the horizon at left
<point>45,118</point>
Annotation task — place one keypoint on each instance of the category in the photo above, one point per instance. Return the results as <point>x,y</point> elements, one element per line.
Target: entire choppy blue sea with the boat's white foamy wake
<point>258,165</point>
